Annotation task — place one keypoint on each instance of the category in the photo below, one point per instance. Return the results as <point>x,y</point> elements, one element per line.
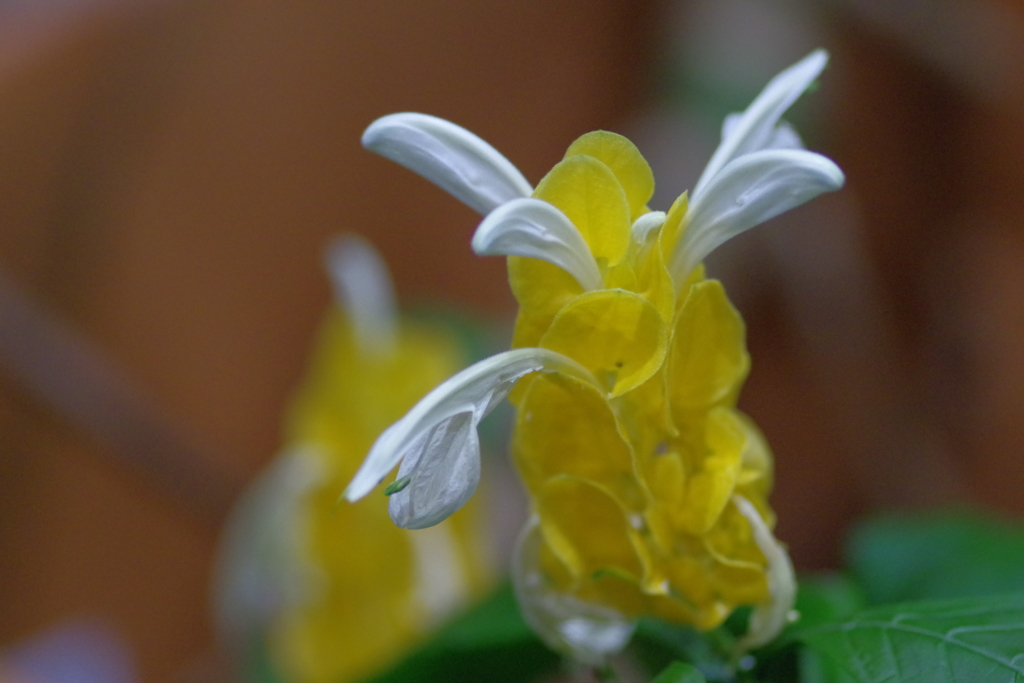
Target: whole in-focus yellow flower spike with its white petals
<point>649,487</point>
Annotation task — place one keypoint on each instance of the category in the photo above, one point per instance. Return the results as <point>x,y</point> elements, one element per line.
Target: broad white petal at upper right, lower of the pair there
<point>748,192</point>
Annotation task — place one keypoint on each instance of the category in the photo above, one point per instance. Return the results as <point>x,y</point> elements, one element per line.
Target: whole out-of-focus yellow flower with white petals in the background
<point>343,591</point>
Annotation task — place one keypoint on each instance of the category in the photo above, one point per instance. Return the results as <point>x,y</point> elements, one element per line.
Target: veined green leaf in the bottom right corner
<point>976,641</point>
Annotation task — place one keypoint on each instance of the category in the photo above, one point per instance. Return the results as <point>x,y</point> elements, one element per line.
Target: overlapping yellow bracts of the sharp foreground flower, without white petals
<point>634,485</point>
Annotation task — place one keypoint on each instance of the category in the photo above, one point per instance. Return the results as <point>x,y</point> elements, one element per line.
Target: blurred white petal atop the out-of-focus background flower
<point>363,289</point>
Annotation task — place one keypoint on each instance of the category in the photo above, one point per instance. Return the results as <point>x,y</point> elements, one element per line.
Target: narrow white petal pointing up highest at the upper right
<point>756,127</point>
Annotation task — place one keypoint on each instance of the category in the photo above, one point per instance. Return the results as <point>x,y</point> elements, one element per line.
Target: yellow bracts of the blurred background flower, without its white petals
<point>364,605</point>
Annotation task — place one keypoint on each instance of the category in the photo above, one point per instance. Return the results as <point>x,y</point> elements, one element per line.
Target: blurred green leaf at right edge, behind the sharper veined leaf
<point>938,556</point>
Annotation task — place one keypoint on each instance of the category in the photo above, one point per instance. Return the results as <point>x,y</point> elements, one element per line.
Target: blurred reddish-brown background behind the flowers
<point>172,169</point>
